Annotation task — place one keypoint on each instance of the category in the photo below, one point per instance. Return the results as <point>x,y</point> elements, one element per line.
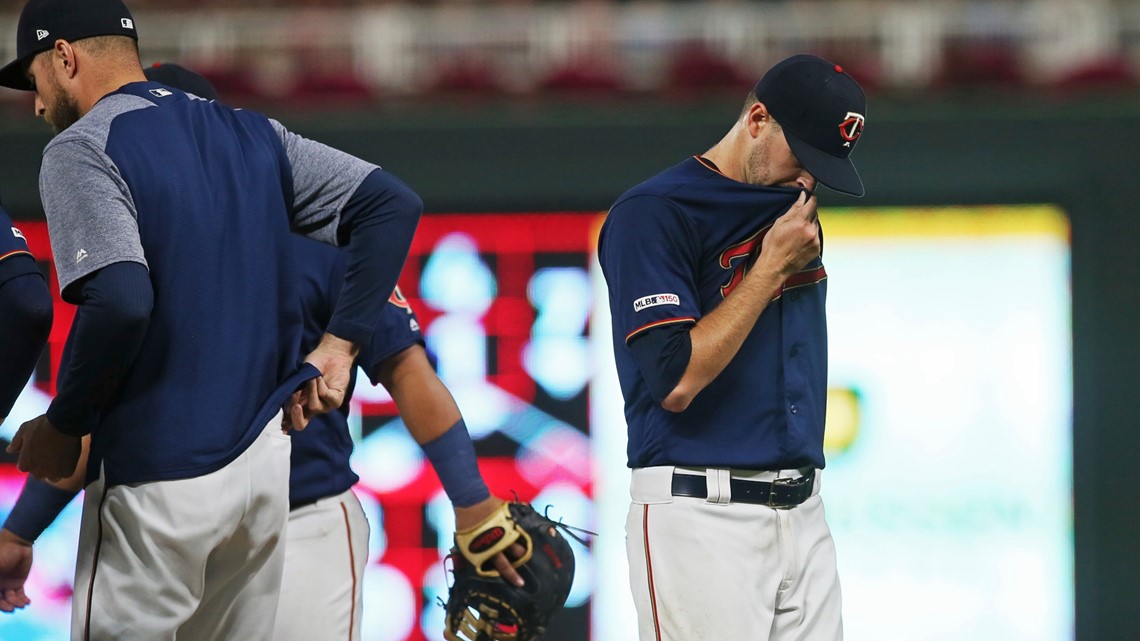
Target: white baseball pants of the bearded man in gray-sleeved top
<point>181,559</point>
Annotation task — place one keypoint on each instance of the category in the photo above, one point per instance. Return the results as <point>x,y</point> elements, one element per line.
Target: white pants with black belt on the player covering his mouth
<point>710,570</point>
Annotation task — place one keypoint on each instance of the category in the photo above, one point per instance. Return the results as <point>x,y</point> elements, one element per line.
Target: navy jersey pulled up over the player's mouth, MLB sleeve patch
<point>672,249</point>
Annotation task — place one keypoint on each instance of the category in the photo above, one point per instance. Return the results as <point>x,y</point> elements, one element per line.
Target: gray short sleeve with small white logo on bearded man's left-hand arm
<point>92,218</point>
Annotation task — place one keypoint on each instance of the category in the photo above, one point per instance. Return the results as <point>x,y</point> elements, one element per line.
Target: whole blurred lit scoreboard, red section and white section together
<point>949,480</point>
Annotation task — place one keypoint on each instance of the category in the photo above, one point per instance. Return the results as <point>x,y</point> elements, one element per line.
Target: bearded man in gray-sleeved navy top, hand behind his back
<point>170,221</point>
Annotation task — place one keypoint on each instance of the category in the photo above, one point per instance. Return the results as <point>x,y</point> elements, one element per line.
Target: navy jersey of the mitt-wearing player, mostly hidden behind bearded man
<point>322,451</point>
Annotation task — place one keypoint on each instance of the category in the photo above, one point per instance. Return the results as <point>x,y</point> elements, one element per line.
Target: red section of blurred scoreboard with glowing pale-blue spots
<point>504,303</point>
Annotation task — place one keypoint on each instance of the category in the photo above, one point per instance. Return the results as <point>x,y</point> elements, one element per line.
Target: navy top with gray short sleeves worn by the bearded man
<point>205,197</point>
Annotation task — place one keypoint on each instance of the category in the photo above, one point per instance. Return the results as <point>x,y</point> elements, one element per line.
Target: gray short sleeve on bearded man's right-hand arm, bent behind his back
<point>324,180</point>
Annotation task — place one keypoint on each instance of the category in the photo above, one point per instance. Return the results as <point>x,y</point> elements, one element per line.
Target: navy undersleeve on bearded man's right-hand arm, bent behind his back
<point>379,222</point>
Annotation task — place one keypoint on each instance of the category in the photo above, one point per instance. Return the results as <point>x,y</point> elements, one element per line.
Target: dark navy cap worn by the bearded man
<point>43,22</point>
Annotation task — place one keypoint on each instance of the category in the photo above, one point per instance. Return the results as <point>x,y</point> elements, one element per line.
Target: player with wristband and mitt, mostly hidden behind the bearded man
<point>327,543</point>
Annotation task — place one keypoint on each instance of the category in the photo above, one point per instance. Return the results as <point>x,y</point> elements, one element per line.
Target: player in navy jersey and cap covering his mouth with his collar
<point>716,289</point>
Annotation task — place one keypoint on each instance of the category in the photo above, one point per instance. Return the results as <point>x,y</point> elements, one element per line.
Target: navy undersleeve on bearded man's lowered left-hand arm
<point>115,314</point>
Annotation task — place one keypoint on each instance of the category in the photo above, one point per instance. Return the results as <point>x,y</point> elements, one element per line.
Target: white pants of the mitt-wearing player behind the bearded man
<point>327,551</point>
